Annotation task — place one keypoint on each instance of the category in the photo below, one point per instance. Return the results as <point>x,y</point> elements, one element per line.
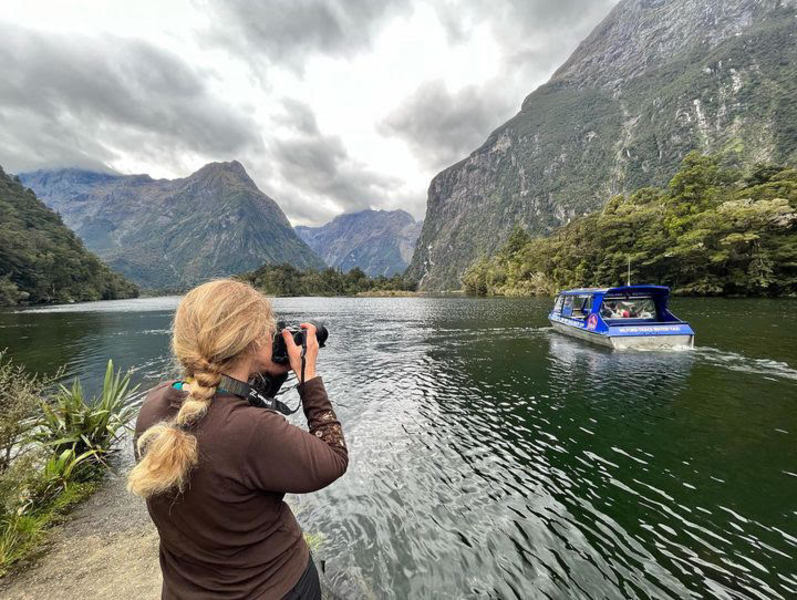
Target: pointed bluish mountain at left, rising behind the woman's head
<point>174,233</point>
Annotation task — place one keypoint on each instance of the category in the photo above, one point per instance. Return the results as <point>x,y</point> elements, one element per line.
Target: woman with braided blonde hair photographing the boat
<point>214,469</point>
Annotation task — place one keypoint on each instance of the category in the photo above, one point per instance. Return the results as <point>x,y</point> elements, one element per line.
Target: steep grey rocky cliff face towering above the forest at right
<point>653,81</point>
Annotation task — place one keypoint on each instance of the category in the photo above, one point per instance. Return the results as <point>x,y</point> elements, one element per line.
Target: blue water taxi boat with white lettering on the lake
<point>632,316</point>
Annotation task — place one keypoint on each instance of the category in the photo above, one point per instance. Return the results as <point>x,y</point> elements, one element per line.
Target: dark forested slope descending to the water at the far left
<point>41,260</point>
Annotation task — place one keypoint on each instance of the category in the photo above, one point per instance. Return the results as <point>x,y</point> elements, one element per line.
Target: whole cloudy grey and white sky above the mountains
<point>332,106</point>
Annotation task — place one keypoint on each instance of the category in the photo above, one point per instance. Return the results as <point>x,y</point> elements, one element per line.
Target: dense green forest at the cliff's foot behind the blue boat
<point>715,230</point>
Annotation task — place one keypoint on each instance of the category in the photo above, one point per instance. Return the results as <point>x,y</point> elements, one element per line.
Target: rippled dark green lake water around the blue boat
<point>493,458</point>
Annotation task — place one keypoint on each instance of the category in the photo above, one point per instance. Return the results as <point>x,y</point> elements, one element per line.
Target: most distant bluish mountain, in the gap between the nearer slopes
<point>377,241</point>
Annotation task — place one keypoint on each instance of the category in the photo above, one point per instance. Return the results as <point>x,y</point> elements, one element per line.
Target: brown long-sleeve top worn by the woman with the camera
<point>229,534</point>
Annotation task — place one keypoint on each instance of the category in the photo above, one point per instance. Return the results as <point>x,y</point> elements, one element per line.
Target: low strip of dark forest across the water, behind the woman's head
<point>287,280</point>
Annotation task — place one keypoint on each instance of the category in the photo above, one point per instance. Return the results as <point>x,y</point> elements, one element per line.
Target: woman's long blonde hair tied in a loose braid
<point>216,324</point>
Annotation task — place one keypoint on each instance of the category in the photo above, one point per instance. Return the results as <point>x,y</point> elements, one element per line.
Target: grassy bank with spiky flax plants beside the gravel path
<point>54,452</point>
